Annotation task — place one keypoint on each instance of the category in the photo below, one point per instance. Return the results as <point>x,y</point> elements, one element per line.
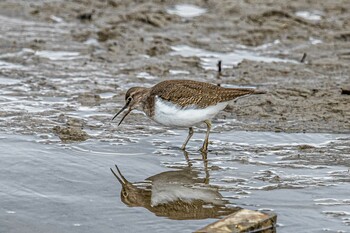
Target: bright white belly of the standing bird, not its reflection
<point>166,113</point>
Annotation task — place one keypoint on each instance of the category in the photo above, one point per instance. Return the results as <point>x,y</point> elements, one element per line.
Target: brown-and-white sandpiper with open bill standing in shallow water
<point>182,103</point>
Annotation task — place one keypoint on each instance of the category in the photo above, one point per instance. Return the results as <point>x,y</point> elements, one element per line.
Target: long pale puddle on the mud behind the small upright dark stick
<point>209,59</point>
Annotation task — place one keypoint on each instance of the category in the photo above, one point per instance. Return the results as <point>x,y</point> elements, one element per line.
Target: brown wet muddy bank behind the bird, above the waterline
<point>73,53</point>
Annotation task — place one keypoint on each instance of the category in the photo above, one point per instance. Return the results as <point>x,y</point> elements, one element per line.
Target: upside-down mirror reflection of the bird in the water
<point>177,195</point>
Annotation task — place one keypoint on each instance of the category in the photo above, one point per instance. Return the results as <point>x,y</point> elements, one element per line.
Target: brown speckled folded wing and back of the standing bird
<point>187,92</point>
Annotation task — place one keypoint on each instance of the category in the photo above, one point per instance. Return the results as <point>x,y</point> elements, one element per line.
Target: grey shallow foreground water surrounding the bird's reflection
<point>49,186</point>
